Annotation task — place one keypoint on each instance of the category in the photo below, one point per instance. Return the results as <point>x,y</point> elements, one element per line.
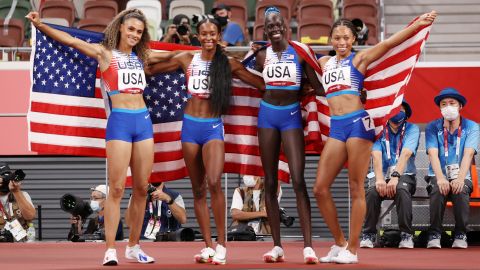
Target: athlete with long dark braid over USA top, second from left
<point>209,75</point>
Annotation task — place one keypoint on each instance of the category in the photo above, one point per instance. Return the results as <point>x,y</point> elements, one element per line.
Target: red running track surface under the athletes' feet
<point>241,255</point>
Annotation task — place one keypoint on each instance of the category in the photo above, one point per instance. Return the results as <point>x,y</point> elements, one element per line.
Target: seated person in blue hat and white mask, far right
<point>451,143</point>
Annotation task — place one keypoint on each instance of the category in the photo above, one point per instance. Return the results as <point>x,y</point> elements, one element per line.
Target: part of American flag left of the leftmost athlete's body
<point>67,113</point>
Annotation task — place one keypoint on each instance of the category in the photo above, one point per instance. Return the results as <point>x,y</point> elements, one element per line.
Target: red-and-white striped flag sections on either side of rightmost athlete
<point>385,83</point>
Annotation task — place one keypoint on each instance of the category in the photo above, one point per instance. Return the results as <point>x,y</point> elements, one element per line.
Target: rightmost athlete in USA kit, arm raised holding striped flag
<point>352,130</point>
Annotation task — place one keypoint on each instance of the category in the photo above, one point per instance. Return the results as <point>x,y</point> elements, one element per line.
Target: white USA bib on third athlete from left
<point>280,74</point>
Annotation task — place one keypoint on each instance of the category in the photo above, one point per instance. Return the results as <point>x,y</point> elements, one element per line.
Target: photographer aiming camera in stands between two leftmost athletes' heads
<point>180,32</point>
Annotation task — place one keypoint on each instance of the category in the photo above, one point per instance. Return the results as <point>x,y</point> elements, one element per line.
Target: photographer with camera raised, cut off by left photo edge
<point>16,207</point>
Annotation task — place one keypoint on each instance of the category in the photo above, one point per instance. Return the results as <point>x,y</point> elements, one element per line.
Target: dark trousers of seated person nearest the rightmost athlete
<point>406,187</point>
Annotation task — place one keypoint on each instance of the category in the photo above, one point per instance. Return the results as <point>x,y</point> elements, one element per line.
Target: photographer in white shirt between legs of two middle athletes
<point>248,204</point>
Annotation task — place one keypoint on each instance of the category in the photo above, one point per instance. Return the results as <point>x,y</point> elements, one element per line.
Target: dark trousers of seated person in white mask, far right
<point>461,206</point>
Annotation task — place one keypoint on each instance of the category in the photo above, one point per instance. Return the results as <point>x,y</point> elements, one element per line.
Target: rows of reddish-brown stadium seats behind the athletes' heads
<point>309,20</point>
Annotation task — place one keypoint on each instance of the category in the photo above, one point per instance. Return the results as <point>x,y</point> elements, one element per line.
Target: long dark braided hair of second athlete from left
<point>220,77</point>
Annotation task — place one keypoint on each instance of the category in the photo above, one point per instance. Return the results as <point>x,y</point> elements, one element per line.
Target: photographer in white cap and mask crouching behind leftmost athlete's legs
<point>95,229</point>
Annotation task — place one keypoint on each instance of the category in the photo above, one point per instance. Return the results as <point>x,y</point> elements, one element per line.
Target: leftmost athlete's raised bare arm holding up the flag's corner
<point>96,51</point>
